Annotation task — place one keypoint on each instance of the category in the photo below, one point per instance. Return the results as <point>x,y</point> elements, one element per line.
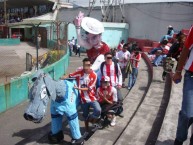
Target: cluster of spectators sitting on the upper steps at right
<point>167,54</point>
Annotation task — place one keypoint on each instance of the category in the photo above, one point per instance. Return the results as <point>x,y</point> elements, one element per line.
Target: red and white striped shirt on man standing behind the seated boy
<point>109,70</point>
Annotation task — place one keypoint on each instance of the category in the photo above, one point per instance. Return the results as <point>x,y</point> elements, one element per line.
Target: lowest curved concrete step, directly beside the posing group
<point>109,136</point>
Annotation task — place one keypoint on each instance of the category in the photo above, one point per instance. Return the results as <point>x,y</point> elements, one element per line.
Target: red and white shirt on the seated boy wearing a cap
<point>111,94</point>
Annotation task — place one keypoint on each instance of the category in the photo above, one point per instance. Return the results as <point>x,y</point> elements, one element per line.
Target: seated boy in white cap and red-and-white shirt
<point>107,96</point>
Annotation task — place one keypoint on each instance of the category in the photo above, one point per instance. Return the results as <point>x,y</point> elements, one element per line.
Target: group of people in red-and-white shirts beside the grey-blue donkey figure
<point>100,89</point>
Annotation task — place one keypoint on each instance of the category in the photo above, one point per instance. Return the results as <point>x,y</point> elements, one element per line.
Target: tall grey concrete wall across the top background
<point>146,21</point>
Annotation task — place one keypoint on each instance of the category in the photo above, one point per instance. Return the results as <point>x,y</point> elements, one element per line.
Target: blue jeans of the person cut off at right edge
<point>185,118</point>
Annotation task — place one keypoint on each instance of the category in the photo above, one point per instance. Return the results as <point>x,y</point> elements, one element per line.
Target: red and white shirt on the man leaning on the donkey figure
<point>86,81</point>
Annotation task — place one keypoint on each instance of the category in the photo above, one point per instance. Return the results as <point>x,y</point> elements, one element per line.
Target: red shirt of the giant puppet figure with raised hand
<point>93,53</point>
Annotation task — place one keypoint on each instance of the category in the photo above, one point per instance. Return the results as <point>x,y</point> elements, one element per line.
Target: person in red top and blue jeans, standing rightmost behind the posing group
<point>134,60</point>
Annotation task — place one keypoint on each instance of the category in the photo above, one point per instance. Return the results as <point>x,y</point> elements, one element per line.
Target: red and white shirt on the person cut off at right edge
<point>189,45</point>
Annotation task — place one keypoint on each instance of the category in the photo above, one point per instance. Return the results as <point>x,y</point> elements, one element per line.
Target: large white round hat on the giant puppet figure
<point>92,25</point>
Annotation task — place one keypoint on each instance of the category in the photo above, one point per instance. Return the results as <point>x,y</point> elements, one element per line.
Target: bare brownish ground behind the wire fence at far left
<point>13,59</point>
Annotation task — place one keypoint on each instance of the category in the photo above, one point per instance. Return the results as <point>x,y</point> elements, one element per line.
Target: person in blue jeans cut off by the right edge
<point>185,118</point>
